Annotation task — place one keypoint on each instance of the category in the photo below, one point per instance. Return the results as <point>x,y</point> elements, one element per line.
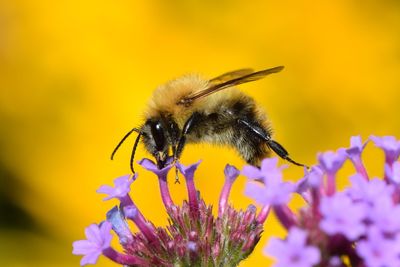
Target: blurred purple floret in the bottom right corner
<point>378,251</point>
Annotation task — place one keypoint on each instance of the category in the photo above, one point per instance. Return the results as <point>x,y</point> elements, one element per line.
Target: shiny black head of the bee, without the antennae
<point>155,140</point>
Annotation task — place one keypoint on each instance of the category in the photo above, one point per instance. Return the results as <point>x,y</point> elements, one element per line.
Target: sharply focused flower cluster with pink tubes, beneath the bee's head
<point>194,237</point>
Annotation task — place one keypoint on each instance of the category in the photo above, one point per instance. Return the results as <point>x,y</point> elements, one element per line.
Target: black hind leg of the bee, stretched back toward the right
<point>273,145</point>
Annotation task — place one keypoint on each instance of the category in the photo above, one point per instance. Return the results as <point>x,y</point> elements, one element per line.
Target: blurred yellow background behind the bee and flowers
<point>76,75</point>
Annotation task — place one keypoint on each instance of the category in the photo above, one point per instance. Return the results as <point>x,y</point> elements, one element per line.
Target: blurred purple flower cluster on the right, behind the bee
<point>358,226</point>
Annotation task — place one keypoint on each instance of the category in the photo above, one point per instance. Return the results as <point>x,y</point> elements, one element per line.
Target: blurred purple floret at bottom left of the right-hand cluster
<point>294,251</point>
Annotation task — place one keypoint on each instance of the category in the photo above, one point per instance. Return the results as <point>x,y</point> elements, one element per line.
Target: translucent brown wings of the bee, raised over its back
<point>219,83</point>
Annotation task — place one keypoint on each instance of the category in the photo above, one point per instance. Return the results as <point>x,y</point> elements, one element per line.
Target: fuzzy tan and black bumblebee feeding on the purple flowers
<point>191,109</point>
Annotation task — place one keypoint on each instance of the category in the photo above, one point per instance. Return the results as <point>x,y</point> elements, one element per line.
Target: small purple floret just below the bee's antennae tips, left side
<point>122,187</point>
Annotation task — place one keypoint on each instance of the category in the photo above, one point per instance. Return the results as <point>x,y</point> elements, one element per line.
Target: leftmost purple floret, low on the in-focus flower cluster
<point>98,239</point>
